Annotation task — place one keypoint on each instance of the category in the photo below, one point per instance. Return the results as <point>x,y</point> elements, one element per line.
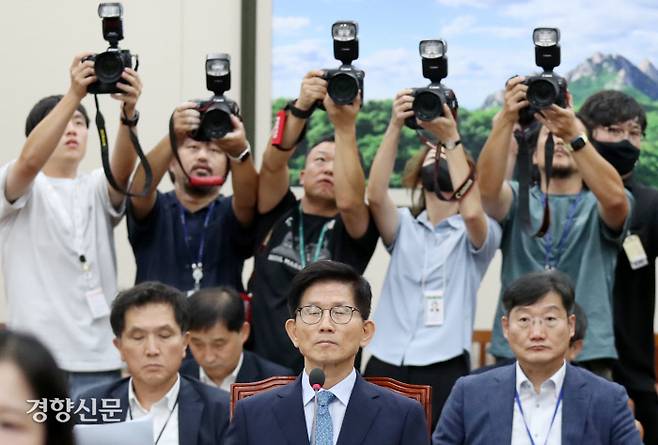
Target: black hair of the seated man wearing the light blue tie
<point>327,270</point>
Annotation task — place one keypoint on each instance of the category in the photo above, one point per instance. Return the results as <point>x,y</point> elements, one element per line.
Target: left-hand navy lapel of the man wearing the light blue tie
<point>288,410</point>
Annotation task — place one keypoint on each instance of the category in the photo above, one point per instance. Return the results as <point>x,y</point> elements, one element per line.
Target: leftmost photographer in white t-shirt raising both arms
<point>57,229</point>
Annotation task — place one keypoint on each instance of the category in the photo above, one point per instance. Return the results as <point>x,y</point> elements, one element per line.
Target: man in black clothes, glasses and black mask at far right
<point>616,124</point>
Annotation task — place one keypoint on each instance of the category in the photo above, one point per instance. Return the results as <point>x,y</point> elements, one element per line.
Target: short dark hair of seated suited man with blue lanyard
<point>532,287</point>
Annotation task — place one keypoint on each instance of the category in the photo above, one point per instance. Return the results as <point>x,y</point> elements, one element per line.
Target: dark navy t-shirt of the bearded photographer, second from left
<point>161,253</point>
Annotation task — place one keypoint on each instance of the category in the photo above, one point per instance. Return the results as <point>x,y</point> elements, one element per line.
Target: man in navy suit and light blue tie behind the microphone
<point>329,304</point>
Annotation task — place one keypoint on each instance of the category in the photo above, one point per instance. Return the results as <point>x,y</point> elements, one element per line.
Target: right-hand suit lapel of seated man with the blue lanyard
<point>575,404</point>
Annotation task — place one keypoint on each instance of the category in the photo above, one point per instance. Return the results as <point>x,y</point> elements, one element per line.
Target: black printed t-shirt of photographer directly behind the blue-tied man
<point>277,261</point>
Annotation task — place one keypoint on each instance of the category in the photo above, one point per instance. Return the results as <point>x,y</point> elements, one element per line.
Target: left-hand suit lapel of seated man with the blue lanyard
<point>500,401</point>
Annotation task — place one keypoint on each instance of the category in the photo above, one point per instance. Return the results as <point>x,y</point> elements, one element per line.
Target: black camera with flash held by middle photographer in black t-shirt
<point>345,82</point>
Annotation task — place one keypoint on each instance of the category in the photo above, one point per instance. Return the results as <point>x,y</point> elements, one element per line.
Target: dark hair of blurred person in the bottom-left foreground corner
<point>45,379</point>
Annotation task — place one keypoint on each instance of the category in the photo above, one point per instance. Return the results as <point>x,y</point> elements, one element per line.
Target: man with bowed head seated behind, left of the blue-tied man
<point>218,331</point>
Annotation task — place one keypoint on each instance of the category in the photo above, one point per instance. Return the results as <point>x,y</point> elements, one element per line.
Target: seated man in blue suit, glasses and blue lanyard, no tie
<point>540,398</point>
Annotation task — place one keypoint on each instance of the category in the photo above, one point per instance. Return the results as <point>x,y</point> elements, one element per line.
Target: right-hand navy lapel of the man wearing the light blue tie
<point>361,412</point>
